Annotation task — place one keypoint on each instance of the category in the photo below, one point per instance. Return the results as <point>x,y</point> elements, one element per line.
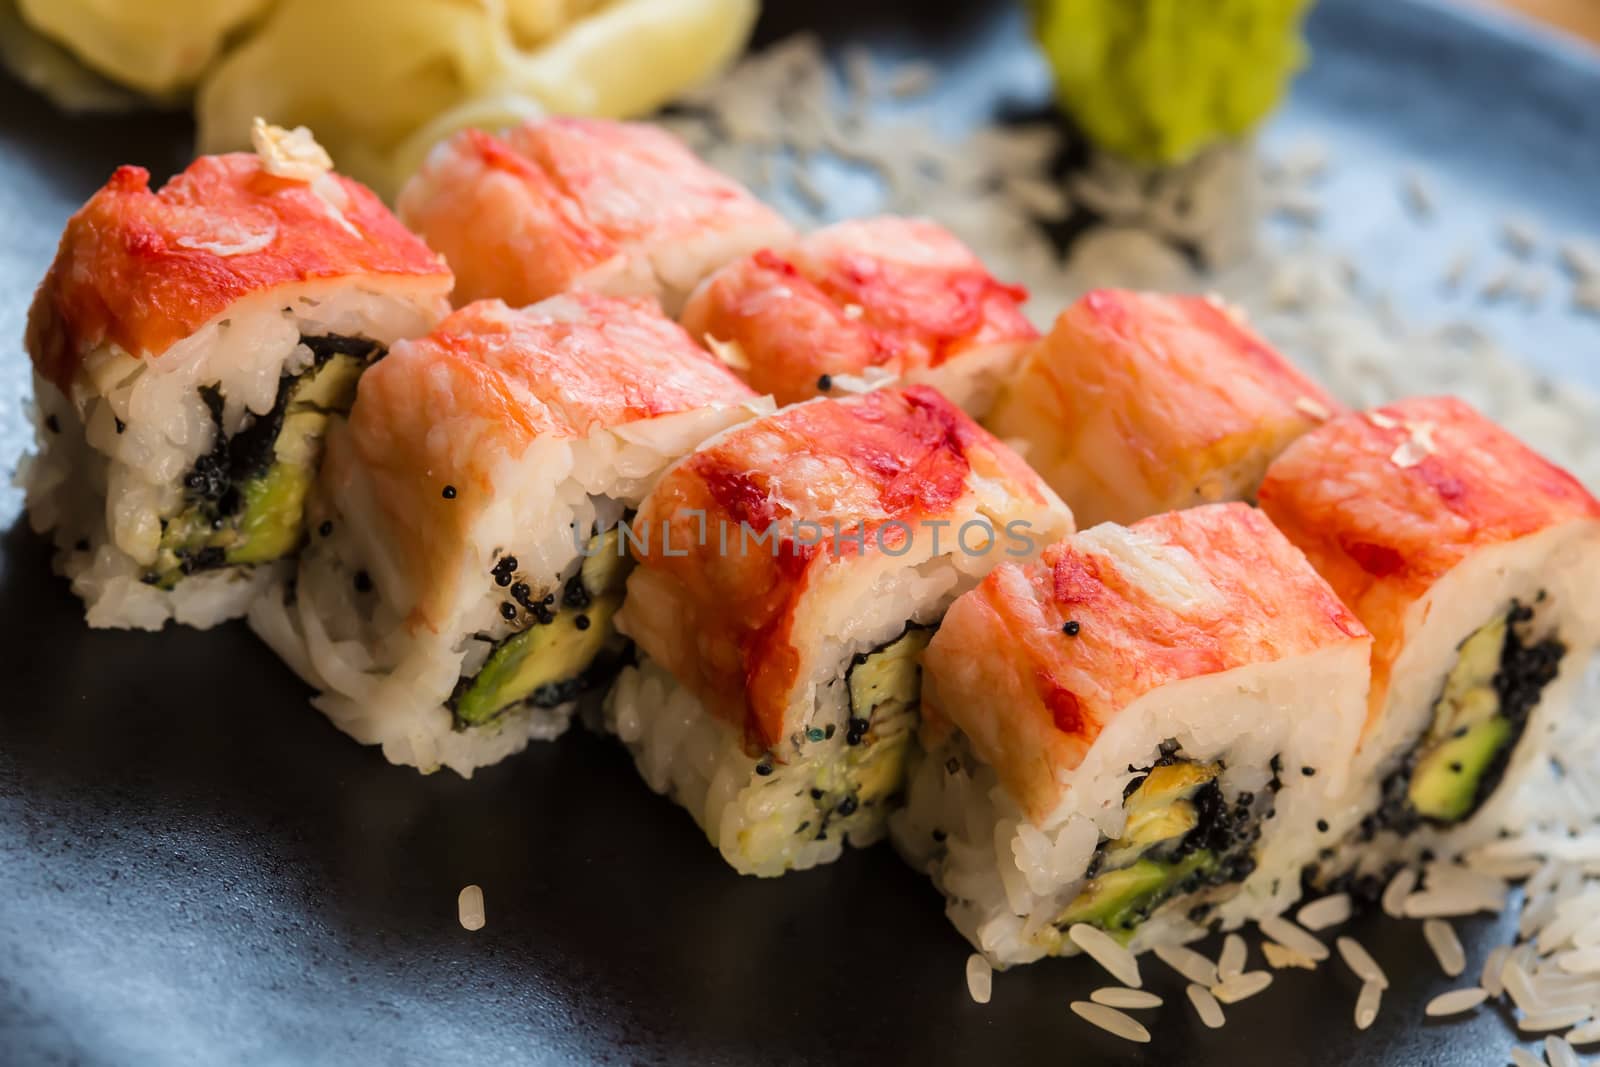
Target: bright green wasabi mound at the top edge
<point>1158,81</point>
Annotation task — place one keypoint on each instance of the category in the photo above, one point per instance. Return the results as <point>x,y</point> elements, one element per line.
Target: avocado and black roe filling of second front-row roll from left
<point>569,644</point>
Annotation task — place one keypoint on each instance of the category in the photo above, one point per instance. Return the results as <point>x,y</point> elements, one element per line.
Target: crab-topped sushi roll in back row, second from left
<point>865,303</point>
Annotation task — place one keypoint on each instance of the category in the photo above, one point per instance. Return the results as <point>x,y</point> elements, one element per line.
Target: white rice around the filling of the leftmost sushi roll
<point>110,490</point>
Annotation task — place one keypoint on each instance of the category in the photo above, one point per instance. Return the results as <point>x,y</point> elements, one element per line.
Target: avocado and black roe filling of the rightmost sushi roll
<point>1482,713</point>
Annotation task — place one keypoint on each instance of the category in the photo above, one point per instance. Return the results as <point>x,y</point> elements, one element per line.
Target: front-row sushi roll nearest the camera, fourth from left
<point>1140,732</point>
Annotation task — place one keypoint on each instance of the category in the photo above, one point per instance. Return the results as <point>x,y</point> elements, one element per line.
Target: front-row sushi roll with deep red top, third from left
<point>791,573</point>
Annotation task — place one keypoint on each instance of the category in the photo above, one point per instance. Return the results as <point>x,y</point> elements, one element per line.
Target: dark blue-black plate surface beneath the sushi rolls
<point>196,868</point>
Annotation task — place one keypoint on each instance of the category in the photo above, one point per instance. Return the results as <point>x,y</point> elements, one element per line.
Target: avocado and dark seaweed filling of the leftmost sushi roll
<point>246,500</point>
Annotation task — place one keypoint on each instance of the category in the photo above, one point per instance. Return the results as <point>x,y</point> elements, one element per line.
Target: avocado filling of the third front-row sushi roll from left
<point>886,689</point>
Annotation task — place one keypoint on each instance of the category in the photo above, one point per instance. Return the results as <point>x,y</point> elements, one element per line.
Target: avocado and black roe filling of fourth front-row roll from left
<point>1180,837</point>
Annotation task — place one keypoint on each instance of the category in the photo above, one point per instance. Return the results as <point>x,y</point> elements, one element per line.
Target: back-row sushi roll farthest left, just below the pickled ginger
<point>582,204</point>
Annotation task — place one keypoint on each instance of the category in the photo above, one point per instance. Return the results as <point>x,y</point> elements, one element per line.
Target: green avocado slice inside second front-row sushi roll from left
<point>546,665</point>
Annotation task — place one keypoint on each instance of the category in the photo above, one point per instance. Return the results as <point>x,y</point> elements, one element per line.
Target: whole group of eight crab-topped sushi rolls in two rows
<point>1129,625</point>
